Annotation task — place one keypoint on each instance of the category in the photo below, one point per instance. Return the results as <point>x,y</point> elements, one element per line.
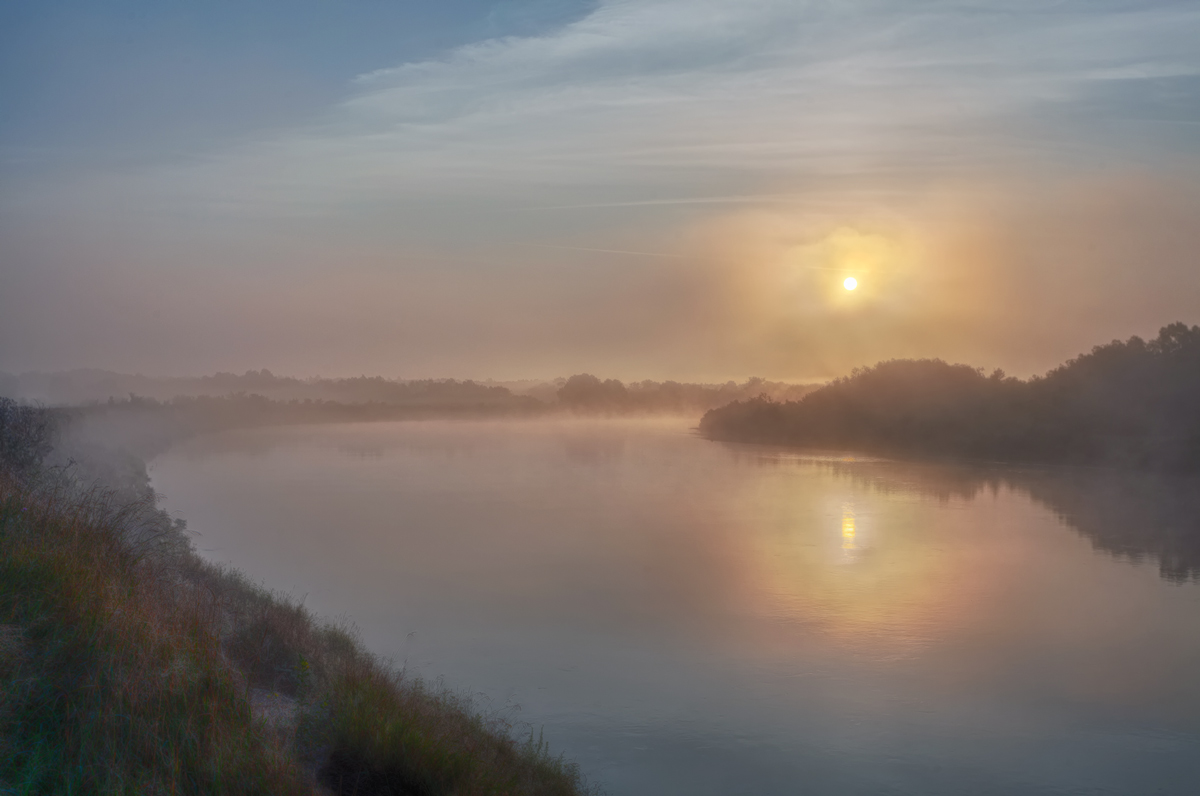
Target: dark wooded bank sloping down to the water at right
<point>1131,404</point>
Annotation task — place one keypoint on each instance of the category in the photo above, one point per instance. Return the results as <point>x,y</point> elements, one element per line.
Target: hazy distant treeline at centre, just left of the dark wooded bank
<point>587,394</point>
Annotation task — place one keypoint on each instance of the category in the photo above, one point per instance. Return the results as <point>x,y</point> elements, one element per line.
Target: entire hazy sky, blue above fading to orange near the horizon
<point>638,189</point>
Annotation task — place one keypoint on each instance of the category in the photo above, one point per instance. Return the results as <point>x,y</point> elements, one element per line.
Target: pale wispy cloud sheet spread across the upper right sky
<point>668,97</point>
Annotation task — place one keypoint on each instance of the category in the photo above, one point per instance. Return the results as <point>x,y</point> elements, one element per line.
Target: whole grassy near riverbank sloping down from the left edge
<point>130,666</point>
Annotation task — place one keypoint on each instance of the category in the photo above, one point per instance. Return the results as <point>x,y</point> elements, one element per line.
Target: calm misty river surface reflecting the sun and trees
<point>699,619</point>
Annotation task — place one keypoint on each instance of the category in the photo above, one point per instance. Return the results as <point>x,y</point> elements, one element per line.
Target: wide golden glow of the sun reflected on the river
<point>867,570</point>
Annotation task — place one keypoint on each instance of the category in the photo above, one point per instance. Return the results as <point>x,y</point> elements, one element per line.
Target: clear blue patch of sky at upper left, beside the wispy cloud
<point>128,80</point>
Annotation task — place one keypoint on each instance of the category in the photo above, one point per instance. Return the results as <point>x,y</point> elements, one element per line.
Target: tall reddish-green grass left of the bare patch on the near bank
<point>115,680</point>
